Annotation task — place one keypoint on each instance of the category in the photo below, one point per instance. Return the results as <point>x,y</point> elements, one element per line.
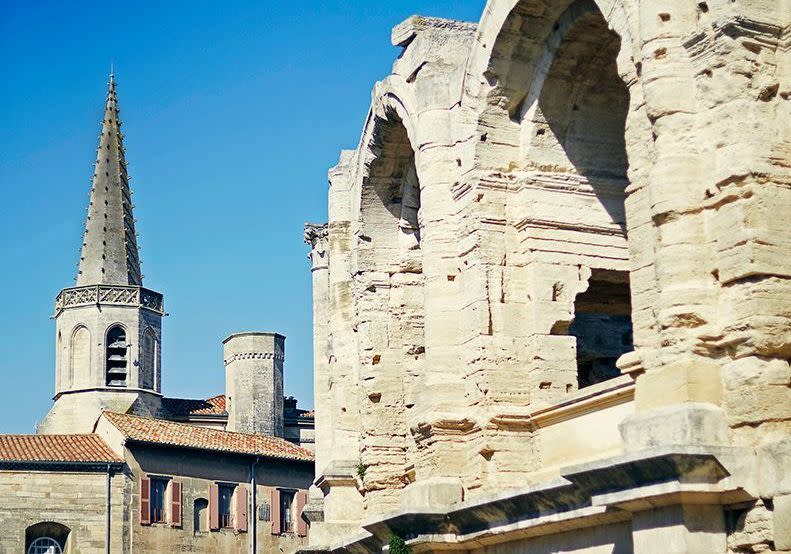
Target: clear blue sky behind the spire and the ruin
<point>233,112</point>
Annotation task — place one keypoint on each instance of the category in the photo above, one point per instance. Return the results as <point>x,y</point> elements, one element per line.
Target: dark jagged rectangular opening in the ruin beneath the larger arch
<point>602,326</point>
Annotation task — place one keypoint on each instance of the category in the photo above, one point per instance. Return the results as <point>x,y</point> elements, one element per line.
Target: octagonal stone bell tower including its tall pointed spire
<point>108,326</point>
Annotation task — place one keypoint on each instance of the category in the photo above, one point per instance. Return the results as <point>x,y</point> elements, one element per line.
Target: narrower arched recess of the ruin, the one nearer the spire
<point>388,279</point>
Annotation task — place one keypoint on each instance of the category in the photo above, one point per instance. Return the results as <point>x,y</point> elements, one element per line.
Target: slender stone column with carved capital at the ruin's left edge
<point>316,237</point>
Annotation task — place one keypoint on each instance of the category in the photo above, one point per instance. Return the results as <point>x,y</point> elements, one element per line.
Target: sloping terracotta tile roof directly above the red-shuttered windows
<point>160,431</point>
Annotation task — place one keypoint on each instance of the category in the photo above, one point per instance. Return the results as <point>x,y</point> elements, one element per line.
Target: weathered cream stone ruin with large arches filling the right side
<point>552,300</point>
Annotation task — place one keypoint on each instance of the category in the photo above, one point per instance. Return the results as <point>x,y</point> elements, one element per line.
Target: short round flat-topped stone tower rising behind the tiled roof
<point>254,382</point>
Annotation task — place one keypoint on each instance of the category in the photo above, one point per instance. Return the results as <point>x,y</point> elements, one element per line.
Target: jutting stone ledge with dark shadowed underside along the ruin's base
<point>586,494</point>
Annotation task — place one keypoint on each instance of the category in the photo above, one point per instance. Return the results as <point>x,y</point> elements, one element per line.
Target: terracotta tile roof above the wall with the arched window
<point>55,448</point>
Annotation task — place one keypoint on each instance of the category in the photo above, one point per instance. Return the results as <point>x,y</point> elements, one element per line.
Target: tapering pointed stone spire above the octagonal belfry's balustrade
<point>109,246</point>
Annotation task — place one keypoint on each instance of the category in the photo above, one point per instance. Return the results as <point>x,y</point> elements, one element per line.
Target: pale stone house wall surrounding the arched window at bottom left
<point>75,500</point>
